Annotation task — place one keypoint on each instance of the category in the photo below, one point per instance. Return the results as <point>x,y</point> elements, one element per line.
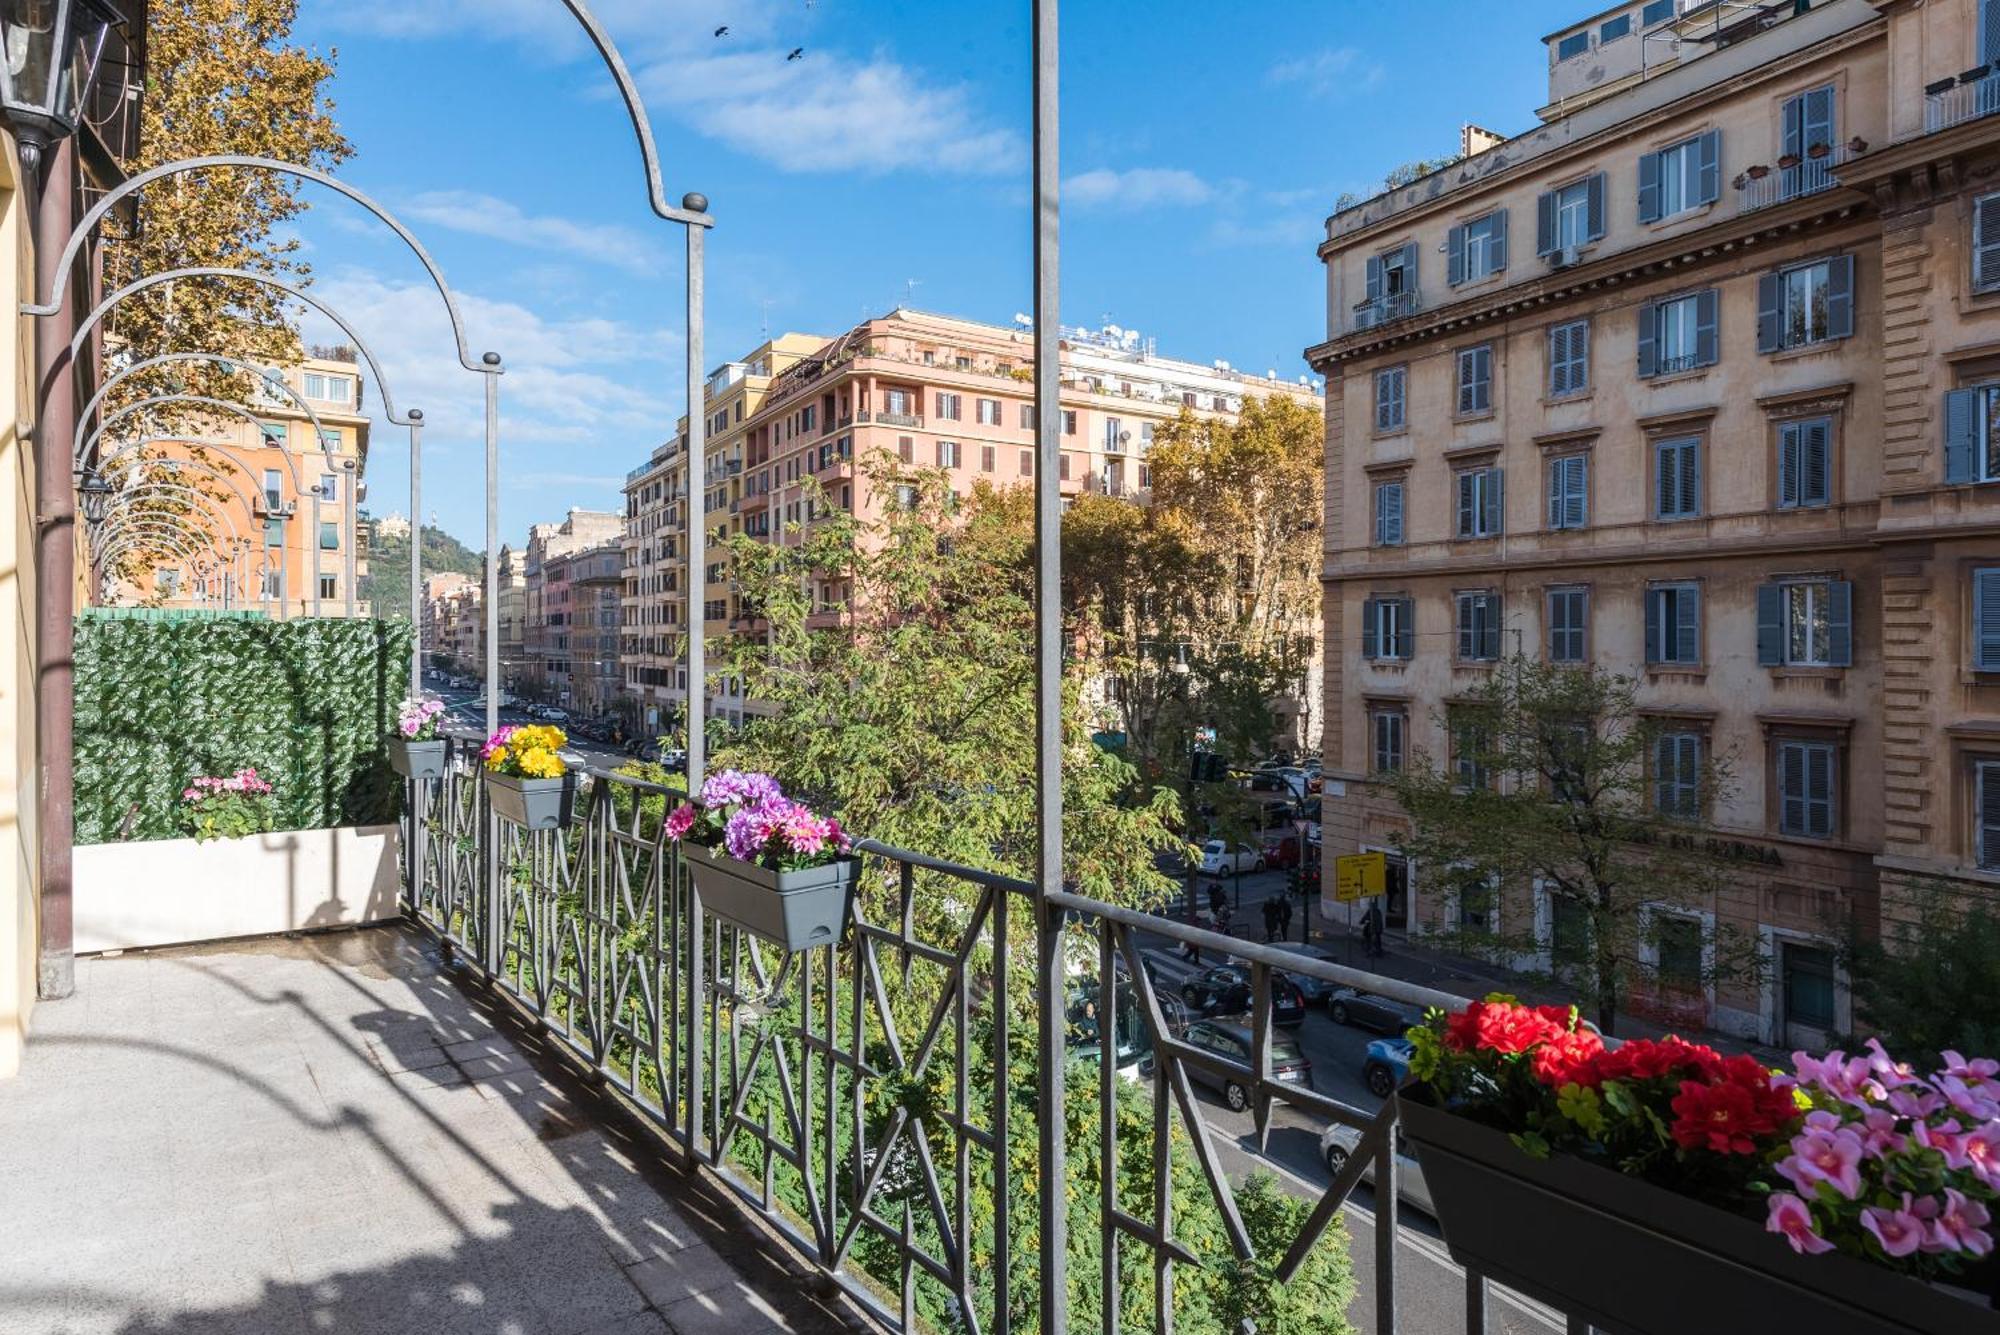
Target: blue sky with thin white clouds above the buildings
<point>1203,145</point>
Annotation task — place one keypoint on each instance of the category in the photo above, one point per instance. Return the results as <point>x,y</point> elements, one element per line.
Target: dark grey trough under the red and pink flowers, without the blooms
<point>1639,1260</point>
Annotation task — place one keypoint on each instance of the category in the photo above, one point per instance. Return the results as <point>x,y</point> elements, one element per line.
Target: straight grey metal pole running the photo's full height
<point>1049,676</point>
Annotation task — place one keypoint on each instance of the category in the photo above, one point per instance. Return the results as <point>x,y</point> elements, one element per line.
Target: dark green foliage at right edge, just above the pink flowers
<point>1933,980</point>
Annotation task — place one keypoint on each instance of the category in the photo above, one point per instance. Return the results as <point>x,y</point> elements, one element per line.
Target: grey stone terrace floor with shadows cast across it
<point>329,1134</point>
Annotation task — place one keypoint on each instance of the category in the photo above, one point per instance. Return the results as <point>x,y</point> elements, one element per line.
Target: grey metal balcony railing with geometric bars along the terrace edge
<point>875,1102</point>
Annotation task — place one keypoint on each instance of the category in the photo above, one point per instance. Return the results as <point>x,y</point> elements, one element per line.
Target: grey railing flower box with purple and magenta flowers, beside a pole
<point>765,862</point>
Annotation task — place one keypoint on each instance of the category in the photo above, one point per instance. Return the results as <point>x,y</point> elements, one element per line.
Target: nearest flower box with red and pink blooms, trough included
<point>1659,1186</point>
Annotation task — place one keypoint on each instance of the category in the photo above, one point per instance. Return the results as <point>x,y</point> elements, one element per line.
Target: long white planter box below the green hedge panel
<point>169,892</point>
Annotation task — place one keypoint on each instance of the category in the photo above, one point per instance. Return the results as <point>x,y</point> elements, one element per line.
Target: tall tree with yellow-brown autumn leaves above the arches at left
<point>221,79</point>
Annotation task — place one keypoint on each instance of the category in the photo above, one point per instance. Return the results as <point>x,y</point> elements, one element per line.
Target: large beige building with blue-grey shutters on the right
<point>1691,383</point>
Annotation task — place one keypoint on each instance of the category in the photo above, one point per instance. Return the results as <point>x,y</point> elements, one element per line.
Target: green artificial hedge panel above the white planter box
<point>307,702</point>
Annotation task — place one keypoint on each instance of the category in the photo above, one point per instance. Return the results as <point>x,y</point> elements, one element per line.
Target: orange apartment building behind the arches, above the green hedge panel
<point>283,535</point>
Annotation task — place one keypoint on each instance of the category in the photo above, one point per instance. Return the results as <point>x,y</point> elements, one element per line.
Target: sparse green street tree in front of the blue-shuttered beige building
<point>1553,782</point>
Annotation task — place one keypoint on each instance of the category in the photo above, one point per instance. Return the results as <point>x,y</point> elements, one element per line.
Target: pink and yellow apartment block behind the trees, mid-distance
<point>913,387</point>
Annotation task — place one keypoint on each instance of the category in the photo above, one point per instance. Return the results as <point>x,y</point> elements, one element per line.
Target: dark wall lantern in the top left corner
<point>51,53</point>
